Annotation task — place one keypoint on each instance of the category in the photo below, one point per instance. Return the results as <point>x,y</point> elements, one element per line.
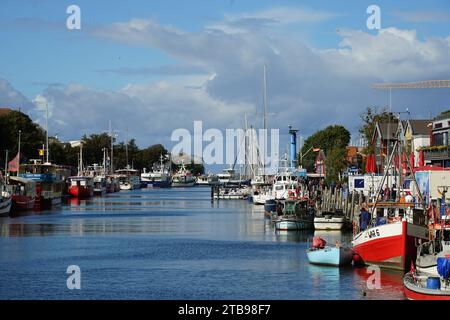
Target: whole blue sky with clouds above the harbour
<point>154,66</point>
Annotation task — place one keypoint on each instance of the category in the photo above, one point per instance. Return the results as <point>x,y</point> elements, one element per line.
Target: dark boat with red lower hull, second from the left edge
<point>23,193</point>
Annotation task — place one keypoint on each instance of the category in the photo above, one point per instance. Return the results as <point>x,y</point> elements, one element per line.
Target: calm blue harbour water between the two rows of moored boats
<point>169,244</point>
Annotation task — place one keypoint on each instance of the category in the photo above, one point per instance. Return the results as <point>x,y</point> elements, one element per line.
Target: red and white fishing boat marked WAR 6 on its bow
<point>387,235</point>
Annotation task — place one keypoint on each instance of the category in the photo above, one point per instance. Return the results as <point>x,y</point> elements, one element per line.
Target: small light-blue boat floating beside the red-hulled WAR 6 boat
<point>322,254</point>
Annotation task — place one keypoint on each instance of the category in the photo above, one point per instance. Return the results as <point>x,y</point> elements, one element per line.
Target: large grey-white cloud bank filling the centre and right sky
<point>308,88</point>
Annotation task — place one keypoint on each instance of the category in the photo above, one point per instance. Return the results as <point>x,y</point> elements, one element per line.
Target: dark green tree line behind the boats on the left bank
<point>33,139</point>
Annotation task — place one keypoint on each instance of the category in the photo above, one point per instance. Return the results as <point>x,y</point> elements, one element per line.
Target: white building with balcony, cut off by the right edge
<point>438,153</point>
